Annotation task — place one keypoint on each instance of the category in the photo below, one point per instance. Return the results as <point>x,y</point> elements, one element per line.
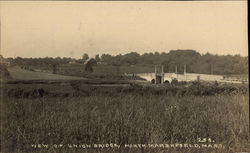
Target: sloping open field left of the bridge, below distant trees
<point>69,73</point>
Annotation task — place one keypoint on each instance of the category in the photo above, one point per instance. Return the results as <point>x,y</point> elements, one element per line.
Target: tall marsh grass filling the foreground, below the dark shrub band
<point>125,118</point>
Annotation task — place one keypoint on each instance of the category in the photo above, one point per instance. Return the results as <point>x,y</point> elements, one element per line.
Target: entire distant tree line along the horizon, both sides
<point>194,61</point>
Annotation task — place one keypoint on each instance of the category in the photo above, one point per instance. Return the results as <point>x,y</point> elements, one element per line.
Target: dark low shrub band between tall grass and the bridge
<point>84,88</point>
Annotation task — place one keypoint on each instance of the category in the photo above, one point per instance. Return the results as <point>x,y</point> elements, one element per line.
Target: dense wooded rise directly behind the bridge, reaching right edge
<point>194,61</point>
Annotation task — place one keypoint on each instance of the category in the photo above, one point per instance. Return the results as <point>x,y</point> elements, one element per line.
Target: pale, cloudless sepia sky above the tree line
<point>72,28</point>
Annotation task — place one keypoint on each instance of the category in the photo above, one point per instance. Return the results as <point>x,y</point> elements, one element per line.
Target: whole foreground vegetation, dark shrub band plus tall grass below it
<point>82,114</point>
